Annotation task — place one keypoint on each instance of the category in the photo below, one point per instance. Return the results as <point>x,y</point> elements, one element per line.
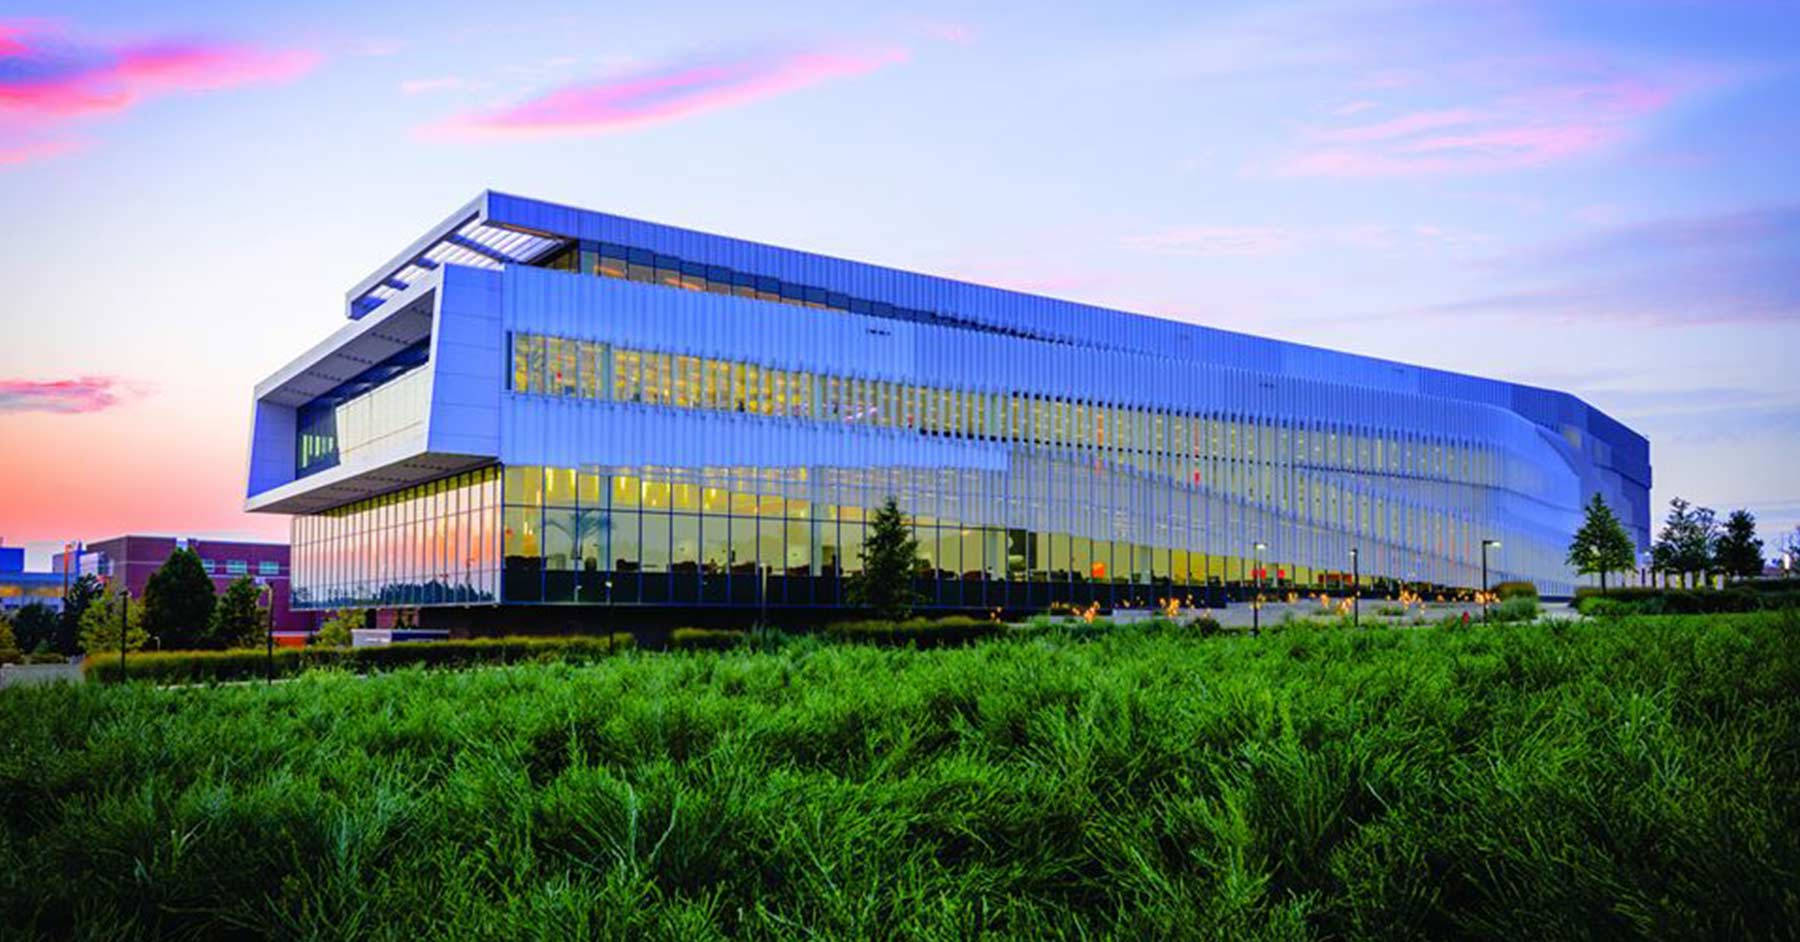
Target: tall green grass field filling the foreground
<point>1639,777</point>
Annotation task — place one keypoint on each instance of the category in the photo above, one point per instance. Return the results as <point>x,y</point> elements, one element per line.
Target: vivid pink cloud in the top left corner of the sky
<point>49,78</point>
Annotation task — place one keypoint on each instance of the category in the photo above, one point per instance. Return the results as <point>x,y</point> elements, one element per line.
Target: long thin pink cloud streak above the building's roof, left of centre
<point>656,96</point>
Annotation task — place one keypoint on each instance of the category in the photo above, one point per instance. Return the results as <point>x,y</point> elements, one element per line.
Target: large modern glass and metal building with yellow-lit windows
<point>555,408</point>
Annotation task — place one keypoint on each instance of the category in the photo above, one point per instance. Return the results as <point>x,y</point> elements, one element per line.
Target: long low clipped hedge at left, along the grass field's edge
<point>177,667</point>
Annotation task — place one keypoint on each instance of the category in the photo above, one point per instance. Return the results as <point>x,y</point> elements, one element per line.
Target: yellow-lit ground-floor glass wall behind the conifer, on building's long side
<point>739,538</point>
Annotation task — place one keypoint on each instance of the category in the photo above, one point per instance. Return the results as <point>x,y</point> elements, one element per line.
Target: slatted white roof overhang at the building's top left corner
<point>469,239</point>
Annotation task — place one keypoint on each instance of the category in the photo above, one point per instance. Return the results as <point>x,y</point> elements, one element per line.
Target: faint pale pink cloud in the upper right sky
<point>1529,129</point>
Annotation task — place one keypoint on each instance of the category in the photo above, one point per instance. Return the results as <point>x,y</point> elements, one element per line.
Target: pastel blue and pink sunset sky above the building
<point>1597,197</point>
